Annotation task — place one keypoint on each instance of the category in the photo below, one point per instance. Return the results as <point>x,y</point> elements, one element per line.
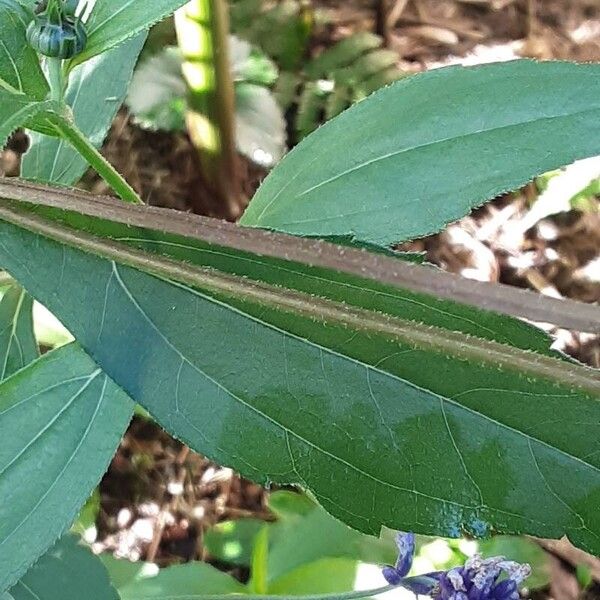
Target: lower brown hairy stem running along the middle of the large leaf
<point>216,283</point>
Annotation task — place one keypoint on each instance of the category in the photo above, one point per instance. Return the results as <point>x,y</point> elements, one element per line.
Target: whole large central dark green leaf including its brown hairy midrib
<point>430,418</point>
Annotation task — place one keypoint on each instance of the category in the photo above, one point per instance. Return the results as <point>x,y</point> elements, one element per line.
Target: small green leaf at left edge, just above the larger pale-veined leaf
<point>18,346</point>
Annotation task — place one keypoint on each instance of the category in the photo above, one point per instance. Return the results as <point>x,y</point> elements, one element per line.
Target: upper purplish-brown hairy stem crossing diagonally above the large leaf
<point>499,298</point>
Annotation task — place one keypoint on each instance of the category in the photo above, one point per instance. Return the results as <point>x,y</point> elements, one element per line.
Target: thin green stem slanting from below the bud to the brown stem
<point>113,178</point>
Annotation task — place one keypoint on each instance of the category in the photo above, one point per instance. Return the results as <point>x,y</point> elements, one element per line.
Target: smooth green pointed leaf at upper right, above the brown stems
<point>426,150</point>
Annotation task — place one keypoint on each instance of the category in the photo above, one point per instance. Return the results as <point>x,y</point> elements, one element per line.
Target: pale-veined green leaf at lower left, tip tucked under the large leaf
<point>62,419</point>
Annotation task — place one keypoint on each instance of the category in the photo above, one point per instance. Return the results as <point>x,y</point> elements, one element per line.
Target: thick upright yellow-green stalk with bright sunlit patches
<point>203,35</point>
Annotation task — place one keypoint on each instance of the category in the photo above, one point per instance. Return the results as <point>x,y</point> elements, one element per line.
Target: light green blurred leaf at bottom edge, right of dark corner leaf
<point>190,581</point>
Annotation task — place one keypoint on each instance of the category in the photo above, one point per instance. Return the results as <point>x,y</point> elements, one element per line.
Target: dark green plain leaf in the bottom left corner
<point>69,572</point>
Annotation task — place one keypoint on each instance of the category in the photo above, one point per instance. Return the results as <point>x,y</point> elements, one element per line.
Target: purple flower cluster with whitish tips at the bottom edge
<point>479,579</point>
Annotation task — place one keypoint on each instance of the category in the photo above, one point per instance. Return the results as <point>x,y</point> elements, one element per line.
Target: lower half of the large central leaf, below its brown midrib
<point>182,372</point>
